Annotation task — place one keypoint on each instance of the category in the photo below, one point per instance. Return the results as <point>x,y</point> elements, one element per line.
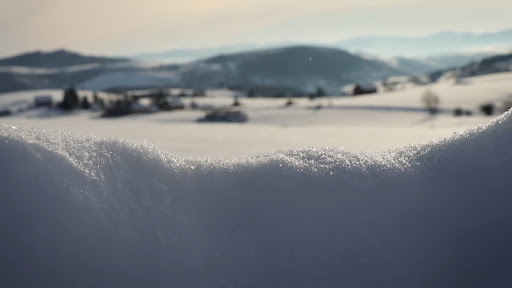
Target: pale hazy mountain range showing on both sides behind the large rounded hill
<point>442,50</point>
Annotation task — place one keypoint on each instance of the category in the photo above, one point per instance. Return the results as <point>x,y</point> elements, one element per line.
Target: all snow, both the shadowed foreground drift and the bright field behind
<point>159,200</point>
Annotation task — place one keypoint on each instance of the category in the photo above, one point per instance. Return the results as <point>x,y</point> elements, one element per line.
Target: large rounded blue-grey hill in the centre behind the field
<point>301,67</point>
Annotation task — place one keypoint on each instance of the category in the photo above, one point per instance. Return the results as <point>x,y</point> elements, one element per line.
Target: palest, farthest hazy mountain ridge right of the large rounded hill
<point>435,44</point>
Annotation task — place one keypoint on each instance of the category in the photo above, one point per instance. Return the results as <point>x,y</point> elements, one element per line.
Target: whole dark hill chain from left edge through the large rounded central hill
<point>294,68</point>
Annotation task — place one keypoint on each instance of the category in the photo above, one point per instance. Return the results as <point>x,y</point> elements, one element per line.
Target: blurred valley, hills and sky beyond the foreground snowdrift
<point>231,79</point>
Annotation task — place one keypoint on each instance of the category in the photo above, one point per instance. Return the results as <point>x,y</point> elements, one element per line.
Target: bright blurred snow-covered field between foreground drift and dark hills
<point>367,123</point>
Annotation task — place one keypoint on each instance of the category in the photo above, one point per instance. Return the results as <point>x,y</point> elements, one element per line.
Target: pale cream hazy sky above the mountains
<point>124,27</point>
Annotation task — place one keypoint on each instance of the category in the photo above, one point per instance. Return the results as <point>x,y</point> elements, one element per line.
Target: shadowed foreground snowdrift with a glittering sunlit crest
<point>89,212</point>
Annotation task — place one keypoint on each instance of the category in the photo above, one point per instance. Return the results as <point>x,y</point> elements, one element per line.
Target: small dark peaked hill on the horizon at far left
<point>56,59</point>
